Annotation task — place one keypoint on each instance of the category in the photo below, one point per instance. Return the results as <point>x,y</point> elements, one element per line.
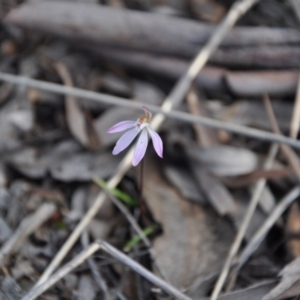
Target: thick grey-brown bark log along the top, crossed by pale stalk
<point>118,27</point>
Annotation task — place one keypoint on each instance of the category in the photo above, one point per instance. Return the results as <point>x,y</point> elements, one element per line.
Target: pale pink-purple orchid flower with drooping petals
<point>141,125</point>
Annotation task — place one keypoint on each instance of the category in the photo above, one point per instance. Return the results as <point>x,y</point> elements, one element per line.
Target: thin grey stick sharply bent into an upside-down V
<point>81,257</point>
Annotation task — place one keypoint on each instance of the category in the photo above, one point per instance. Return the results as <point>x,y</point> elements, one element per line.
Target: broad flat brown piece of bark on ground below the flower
<point>194,241</point>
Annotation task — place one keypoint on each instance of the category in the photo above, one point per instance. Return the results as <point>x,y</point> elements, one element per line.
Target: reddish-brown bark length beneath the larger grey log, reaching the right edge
<point>212,80</point>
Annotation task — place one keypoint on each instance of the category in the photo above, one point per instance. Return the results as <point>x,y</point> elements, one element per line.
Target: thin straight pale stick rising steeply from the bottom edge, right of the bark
<point>246,221</point>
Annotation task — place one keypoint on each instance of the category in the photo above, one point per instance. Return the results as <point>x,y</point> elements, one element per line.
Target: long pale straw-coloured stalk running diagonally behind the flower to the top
<point>175,97</point>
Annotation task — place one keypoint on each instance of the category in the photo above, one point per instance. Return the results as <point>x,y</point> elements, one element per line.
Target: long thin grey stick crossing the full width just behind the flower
<point>122,102</point>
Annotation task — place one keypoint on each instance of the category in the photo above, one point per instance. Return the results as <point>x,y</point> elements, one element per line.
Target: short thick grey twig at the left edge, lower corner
<point>27,227</point>
